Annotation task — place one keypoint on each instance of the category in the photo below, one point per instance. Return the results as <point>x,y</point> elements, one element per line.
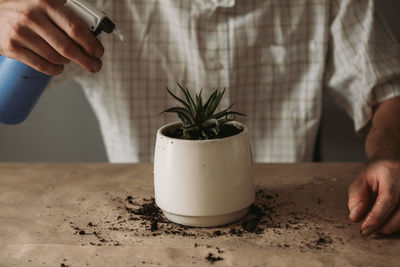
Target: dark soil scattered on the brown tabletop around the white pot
<point>272,214</point>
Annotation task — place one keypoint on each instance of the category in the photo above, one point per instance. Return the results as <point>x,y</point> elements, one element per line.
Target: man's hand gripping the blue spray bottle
<point>45,35</point>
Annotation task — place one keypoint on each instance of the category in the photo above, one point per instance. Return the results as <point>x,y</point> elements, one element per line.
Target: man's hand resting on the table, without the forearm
<point>376,194</point>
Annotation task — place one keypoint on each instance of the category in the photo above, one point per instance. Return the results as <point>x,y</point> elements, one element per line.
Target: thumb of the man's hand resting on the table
<point>359,199</point>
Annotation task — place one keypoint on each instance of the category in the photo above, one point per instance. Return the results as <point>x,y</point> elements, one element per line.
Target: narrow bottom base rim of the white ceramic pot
<point>205,221</point>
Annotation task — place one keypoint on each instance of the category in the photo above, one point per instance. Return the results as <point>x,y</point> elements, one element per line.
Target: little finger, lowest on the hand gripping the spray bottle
<point>29,58</point>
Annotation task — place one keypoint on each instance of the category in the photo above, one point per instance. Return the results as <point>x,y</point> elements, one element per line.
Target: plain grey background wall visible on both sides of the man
<point>63,128</point>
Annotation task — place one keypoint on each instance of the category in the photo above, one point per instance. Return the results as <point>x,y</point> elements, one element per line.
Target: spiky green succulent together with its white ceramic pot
<point>203,173</point>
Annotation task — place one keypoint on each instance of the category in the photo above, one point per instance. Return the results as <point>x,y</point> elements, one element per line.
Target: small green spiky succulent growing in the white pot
<point>200,121</point>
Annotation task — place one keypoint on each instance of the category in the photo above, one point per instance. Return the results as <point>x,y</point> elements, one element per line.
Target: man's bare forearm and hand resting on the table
<point>375,196</point>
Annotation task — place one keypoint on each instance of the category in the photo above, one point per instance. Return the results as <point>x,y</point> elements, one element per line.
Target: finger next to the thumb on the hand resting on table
<point>388,197</point>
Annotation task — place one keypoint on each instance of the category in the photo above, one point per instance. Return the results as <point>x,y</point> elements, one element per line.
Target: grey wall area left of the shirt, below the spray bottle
<point>62,127</point>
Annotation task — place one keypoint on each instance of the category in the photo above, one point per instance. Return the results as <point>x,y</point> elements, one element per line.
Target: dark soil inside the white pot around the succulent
<point>226,130</point>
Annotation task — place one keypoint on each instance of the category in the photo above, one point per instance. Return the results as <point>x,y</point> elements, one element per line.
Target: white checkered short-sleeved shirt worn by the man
<point>275,57</point>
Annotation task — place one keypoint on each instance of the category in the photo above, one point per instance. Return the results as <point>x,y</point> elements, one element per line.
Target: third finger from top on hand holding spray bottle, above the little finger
<point>35,43</point>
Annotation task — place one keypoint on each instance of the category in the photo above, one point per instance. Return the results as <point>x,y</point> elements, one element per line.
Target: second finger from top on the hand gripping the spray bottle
<point>63,44</point>
